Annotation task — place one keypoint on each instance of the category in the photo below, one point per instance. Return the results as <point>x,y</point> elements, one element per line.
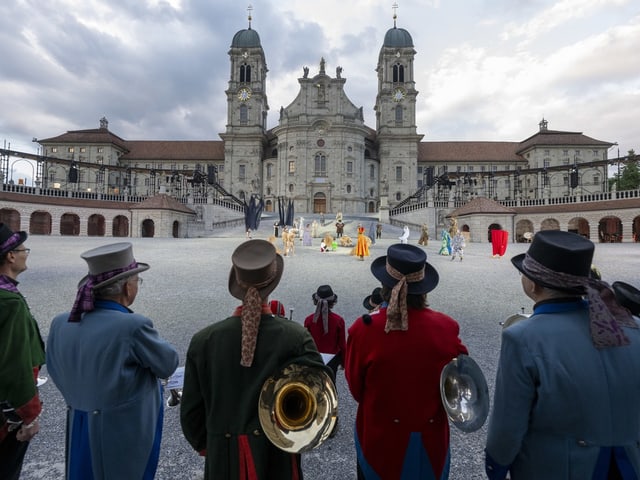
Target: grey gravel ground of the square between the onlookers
<point>186,289</point>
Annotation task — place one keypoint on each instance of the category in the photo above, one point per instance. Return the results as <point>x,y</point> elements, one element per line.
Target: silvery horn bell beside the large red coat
<point>464,393</point>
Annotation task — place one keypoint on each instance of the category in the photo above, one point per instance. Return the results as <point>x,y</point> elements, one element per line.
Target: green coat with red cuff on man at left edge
<point>21,355</point>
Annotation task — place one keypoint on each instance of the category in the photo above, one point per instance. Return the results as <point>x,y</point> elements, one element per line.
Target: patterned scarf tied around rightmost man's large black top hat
<point>606,316</point>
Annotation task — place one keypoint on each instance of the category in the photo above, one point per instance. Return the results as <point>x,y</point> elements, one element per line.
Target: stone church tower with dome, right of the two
<point>396,116</point>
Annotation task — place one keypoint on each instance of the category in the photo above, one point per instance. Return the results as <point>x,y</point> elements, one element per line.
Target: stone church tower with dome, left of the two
<point>247,109</point>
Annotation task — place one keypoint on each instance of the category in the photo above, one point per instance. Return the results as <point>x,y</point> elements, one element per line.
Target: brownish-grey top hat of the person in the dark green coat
<point>255,263</point>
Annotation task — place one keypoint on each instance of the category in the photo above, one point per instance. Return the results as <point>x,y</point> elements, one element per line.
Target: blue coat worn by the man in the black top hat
<point>561,406</point>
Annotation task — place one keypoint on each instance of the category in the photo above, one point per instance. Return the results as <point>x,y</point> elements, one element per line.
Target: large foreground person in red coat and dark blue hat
<point>394,358</point>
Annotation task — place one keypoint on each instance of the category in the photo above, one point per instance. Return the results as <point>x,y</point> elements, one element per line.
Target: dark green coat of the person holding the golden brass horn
<point>219,408</point>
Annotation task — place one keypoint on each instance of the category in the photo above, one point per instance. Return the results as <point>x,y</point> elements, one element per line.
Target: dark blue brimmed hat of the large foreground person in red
<point>406,259</point>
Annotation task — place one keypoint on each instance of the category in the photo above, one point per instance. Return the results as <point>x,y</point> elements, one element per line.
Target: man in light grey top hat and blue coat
<point>107,362</point>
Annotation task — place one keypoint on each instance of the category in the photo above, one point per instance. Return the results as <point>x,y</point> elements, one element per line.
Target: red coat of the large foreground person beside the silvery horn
<point>395,378</point>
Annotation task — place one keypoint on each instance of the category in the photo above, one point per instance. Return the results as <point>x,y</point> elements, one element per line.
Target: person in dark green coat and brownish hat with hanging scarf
<point>227,364</point>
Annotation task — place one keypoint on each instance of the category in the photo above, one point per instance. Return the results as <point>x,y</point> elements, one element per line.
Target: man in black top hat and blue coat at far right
<point>567,395</point>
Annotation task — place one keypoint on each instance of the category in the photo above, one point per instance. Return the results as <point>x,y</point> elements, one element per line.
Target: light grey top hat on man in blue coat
<point>109,258</point>
